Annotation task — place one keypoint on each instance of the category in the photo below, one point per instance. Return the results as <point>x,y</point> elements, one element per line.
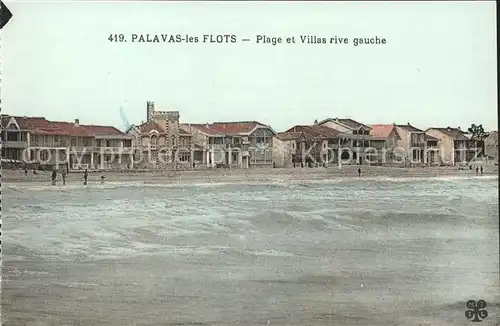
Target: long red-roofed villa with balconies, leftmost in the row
<point>40,141</point>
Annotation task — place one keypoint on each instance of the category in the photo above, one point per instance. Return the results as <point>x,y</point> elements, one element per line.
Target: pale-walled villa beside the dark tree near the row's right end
<point>455,145</point>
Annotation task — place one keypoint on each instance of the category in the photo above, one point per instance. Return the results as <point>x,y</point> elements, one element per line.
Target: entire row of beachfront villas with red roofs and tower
<point>162,142</point>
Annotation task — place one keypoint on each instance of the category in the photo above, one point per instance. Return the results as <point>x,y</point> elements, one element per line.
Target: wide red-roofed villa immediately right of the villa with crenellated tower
<point>235,144</point>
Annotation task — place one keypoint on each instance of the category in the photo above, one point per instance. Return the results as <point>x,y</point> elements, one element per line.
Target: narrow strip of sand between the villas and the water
<point>252,174</point>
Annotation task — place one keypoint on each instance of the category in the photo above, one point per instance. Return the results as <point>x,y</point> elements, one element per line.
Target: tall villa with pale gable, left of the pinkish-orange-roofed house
<point>355,139</point>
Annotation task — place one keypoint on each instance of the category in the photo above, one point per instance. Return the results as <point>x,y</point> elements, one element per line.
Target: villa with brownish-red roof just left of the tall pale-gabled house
<point>314,145</point>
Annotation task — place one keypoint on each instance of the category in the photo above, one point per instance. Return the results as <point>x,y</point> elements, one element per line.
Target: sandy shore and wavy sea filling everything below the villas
<point>255,247</point>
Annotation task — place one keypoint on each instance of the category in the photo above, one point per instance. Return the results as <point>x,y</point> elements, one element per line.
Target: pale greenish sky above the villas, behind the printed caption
<point>437,68</point>
